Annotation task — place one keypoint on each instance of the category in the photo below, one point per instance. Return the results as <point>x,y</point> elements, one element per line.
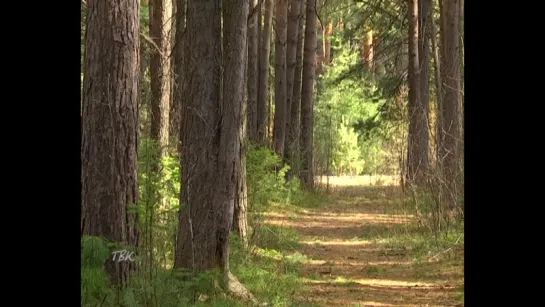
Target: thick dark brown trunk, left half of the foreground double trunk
<point>201,242</point>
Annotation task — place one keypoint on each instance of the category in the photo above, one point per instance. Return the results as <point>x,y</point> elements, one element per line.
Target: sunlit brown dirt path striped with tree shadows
<point>361,249</point>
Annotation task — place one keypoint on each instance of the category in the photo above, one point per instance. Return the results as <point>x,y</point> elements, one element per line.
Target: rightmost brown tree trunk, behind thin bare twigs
<point>450,54</point>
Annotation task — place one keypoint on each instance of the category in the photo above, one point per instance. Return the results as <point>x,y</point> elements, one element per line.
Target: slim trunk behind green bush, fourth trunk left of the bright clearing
<point>263,91</point>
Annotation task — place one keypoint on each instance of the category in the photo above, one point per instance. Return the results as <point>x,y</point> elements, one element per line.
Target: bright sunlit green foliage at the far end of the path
<point>348,97</point>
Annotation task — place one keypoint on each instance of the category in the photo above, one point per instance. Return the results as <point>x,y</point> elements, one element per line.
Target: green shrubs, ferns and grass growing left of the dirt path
<point>269,269</point>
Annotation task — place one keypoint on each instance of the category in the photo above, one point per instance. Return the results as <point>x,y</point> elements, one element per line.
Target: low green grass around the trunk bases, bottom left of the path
<point>271,275</point>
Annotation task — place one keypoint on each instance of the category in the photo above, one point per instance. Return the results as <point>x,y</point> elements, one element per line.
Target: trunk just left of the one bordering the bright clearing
<point>293,40</point>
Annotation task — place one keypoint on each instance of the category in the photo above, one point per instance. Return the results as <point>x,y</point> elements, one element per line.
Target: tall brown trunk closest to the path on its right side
<point>417,150</point>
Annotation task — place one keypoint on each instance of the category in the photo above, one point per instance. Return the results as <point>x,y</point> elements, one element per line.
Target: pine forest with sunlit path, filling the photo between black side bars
<point>272,153</point>
